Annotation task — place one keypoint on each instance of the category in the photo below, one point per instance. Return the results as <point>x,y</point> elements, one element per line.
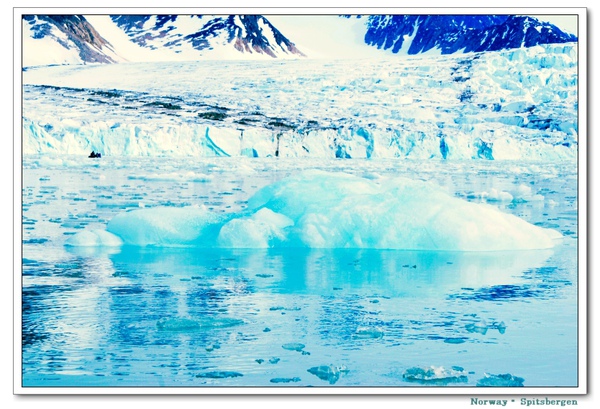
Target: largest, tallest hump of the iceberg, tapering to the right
<point>337,210</point>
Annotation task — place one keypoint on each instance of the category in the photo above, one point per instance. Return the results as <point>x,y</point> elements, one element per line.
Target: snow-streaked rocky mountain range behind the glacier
<point>77,39</point>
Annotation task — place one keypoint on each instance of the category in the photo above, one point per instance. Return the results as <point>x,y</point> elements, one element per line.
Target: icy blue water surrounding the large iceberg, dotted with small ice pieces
<point>330,318</point>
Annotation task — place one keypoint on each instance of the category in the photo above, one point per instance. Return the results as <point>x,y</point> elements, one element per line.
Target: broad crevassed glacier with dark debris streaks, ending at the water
<point>517,104</point>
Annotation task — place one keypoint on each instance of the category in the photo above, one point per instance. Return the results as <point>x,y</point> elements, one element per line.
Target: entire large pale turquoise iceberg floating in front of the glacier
<point>318,209</point>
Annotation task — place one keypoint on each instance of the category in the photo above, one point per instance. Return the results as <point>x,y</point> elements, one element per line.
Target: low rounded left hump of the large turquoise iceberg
<point>166,226</point>
